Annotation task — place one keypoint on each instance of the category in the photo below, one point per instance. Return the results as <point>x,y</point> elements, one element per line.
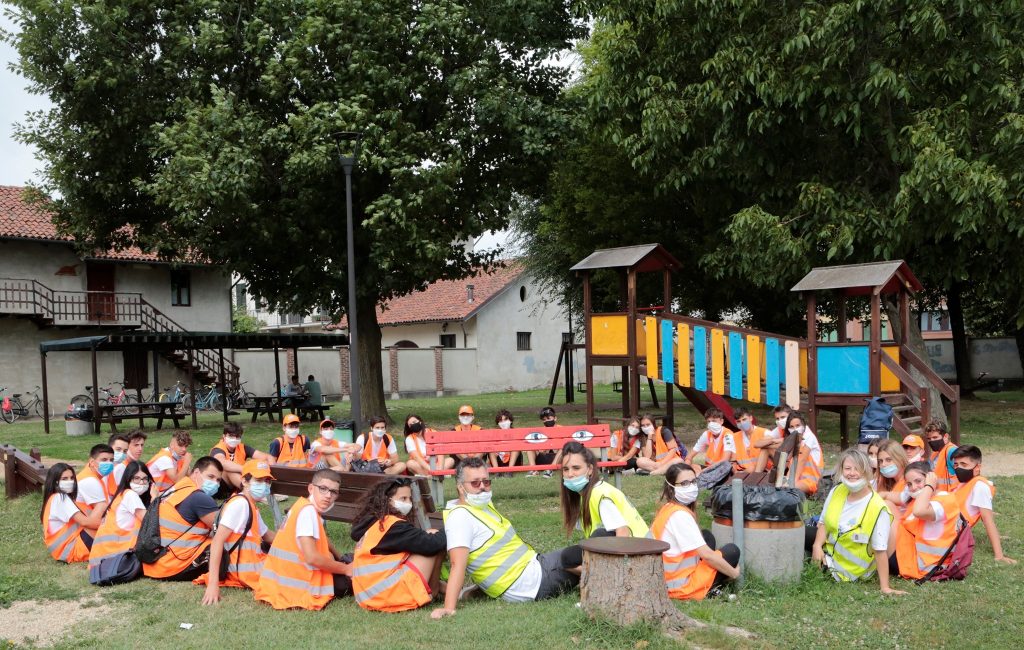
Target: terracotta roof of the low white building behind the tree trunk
<point>446,300</point>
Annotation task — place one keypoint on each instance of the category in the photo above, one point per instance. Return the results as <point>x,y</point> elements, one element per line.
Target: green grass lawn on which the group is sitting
<point>983,612</point>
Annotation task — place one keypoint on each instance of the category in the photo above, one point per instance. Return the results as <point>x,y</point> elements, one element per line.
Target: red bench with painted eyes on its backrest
<point>596,438</point>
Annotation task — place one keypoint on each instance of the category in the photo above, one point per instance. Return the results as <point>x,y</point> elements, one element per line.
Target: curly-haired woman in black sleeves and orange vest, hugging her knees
<point>397,566</point>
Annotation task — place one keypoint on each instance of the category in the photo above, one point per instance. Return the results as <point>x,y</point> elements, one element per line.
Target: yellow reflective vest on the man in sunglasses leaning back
<point>502,559</point>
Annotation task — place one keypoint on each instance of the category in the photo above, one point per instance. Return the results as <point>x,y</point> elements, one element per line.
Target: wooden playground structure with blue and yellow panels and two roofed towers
<point>710,362</point>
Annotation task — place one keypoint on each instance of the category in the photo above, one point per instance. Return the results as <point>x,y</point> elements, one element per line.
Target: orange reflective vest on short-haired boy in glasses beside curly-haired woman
<point>287,581</point>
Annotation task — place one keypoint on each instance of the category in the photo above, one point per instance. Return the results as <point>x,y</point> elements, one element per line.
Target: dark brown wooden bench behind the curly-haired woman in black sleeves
<point>293,482</point>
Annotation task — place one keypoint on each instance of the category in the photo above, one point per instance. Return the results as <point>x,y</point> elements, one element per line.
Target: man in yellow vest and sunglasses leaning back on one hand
<point>484,544</point>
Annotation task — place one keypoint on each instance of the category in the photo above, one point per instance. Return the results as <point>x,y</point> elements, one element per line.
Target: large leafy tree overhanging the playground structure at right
<point>809,134</point>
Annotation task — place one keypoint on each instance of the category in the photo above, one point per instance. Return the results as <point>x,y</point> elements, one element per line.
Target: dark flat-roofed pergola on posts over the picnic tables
<point>137,345</point>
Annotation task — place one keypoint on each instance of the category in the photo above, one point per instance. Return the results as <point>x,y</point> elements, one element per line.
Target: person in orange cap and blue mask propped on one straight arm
<point>241,534</point>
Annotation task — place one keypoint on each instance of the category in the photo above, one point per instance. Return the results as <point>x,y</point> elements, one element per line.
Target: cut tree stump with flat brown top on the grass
<point>624,581</point>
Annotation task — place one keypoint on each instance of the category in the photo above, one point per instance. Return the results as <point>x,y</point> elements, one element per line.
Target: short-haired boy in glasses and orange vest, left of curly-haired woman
<point>304,570</point>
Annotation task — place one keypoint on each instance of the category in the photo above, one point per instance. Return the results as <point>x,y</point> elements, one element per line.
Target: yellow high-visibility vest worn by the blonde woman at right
<point>852,560</point>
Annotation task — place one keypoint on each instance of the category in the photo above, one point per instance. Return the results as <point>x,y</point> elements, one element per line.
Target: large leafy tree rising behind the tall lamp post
<point>211,128</point>
